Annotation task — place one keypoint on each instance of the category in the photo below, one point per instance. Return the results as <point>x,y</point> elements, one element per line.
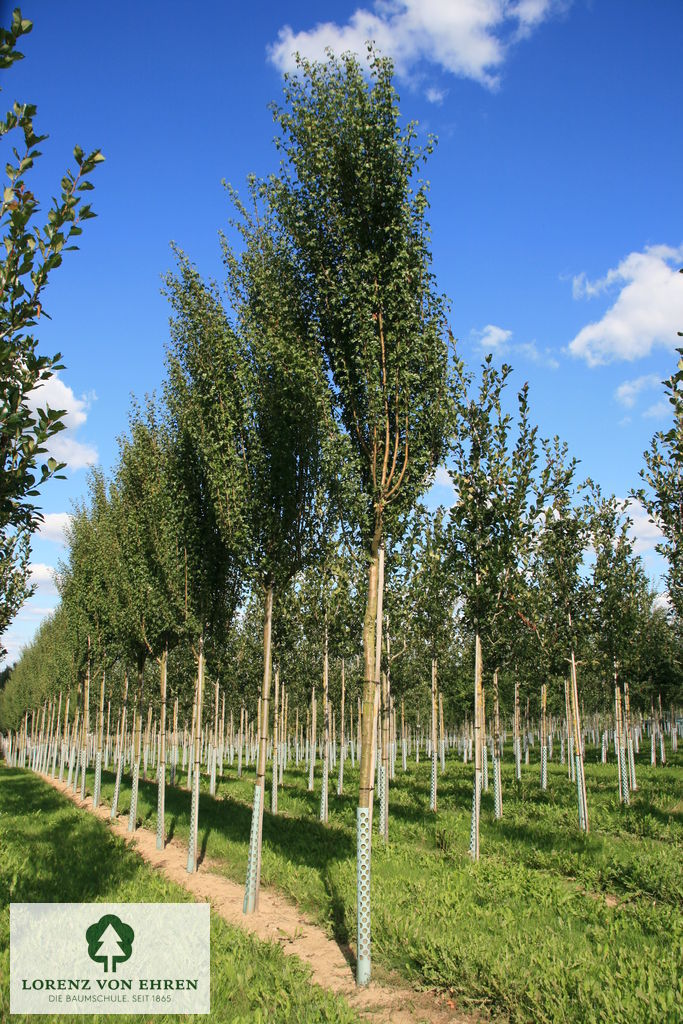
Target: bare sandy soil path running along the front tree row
<point>278,921</point>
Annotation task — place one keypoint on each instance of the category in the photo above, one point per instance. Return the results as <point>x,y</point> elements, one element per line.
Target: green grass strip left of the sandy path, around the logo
<point>52,851</point>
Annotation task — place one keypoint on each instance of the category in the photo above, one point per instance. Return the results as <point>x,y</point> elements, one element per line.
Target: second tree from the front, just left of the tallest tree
<point>288,438</point>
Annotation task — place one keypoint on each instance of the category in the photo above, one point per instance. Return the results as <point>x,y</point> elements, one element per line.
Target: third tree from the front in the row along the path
<point>206,423</point>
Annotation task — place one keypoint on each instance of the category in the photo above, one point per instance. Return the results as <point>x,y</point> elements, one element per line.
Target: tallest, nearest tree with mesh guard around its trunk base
<point>349,197</point>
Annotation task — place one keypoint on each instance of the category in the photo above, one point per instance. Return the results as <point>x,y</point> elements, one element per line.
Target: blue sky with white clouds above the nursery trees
<point>557,204</point>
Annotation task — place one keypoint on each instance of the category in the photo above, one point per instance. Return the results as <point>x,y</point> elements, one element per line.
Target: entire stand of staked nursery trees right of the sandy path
<point>267,510</point>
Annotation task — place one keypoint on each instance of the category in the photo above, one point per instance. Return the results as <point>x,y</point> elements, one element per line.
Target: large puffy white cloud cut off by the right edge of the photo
<point>647,314</point>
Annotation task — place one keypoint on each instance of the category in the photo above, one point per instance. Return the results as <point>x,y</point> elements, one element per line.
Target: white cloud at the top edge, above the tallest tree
<point>468,38</point>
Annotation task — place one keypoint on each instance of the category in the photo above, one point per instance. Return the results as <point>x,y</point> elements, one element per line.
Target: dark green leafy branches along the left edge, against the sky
<point>31,254</point>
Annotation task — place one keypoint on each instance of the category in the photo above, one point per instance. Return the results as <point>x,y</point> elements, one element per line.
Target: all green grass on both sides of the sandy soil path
<point>552,925</point>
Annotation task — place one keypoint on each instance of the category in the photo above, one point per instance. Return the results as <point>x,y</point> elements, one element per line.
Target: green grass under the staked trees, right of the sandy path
<point>549,926</point>
